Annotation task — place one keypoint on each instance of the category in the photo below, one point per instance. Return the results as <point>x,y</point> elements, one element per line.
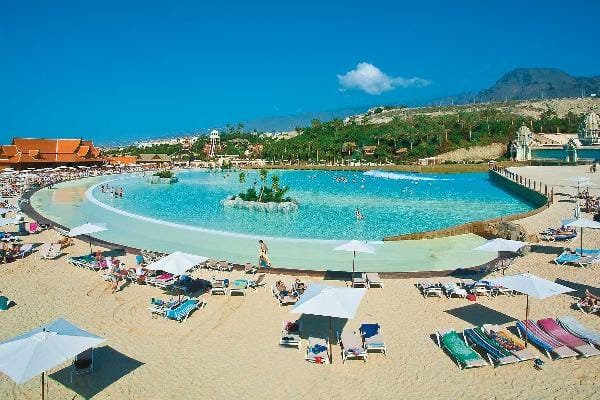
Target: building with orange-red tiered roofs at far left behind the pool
<point>25,153</point>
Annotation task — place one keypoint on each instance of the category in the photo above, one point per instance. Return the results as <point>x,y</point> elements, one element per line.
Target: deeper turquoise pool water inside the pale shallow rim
<point>392,203</point>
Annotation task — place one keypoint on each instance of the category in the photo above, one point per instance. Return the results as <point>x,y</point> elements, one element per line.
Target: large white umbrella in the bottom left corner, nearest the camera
<point>35,352</point>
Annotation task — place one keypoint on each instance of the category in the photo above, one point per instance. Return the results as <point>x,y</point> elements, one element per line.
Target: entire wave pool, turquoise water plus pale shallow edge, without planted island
<point>187,216</point>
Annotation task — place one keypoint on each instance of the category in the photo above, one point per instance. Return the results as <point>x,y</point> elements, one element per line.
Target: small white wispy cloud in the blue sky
<point>369,78</point>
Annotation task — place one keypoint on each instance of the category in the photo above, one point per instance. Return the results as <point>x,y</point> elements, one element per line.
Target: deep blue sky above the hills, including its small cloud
<point>115,70</point>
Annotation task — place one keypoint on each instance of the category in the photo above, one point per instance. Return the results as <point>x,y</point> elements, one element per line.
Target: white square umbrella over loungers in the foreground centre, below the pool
<point>329,301</point>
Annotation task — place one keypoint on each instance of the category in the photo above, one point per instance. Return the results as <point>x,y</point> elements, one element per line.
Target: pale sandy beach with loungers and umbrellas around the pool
<point>230,348</point>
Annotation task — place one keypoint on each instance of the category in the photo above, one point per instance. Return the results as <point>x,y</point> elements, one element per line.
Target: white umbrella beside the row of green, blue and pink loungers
<point>530,285</point>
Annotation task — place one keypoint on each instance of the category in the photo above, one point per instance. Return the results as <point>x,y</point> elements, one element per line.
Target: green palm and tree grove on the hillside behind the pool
<point>416,133</point>
